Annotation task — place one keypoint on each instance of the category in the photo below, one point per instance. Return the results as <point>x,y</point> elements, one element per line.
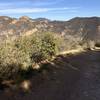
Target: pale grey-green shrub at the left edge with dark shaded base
<point>12,60</point>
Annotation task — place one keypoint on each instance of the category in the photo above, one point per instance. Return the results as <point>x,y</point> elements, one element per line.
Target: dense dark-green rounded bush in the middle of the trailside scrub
<point>45,47</point>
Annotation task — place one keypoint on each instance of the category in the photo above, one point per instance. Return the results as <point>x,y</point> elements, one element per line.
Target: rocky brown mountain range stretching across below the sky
<point>87,28</point>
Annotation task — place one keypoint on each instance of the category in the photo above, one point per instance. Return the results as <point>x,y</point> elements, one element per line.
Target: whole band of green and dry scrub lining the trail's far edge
<point>27,51</point>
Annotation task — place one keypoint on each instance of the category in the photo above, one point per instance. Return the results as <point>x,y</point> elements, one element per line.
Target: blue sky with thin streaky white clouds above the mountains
<point>51,9</point>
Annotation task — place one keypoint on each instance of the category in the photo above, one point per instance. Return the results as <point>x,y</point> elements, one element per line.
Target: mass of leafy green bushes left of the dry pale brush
<point>22,53</point>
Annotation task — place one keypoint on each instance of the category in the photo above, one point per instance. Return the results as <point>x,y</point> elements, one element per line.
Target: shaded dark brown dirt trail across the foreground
<point>72,77</point>
